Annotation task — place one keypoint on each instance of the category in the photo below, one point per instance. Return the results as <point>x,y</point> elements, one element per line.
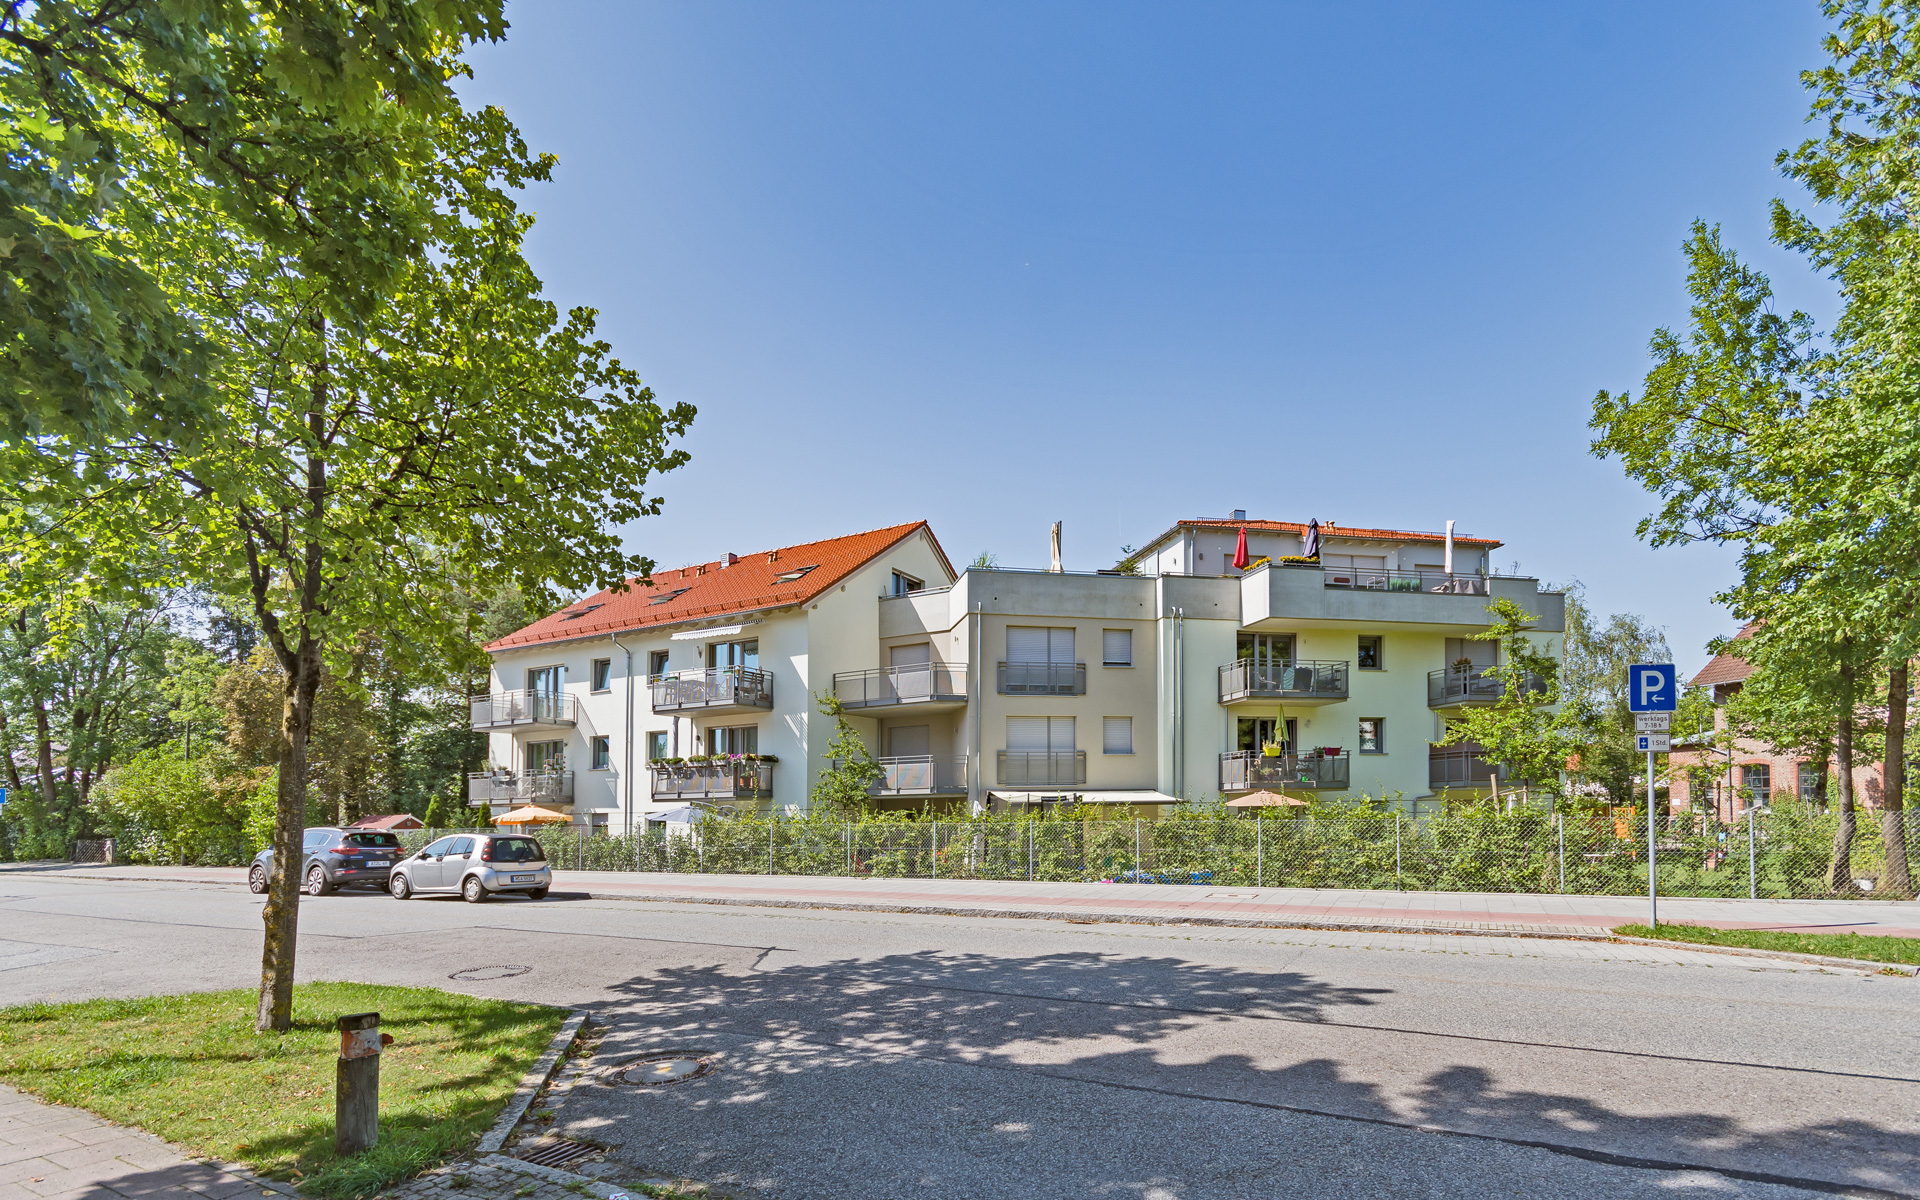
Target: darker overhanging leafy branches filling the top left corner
<point>270,107</point>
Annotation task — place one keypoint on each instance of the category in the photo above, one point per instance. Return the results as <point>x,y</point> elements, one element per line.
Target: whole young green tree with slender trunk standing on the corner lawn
<point>364,466</point>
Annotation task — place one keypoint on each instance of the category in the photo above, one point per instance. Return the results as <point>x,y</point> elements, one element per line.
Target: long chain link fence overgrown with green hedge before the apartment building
<point>1783,853</point>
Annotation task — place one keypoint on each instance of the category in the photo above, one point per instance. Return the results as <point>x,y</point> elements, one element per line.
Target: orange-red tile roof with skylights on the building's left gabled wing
<point>717,588</point>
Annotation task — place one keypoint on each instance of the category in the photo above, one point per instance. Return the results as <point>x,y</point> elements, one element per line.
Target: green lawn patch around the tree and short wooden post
<point>193,1072</point>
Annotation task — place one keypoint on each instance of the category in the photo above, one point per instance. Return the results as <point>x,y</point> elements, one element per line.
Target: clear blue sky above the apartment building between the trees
<point>997,266</point>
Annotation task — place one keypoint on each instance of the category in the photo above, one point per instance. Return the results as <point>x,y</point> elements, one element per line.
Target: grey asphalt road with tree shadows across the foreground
<point>890,1055</point>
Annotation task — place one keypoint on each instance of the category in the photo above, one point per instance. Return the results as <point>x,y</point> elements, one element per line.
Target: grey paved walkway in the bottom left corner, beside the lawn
<point>55,1153</point>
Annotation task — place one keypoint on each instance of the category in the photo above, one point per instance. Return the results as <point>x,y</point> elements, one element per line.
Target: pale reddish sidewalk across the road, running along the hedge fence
<point>1289,907</point>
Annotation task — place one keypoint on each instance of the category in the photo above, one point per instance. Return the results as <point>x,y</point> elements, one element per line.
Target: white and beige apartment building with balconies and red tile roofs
<point>1001,688</point>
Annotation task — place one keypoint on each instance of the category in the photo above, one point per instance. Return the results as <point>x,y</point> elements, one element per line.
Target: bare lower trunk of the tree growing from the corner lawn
<point>289,832</point>
